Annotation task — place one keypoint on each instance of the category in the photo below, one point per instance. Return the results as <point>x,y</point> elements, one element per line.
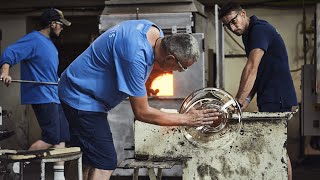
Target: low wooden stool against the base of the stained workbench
<point>150,165</point>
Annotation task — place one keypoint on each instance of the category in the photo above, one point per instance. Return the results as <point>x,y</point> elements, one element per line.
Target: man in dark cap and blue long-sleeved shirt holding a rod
<point>39,61</point>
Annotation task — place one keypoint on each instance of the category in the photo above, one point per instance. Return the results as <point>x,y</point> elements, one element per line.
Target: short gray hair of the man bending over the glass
<point>183,46</point>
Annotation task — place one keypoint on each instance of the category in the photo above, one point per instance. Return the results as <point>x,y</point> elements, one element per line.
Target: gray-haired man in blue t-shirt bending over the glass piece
<point>116,66</point>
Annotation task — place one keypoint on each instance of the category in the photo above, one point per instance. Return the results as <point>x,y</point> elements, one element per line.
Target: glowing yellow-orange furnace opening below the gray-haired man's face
<point>163,84</point>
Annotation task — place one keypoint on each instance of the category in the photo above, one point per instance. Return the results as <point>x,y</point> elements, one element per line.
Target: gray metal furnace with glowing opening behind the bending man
<point>171,18</point>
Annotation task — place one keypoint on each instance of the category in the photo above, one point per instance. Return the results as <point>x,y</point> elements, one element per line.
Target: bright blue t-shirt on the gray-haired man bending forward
<point>116,65</point>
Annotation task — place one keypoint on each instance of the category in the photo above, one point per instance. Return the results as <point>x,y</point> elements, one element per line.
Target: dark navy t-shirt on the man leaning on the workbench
<point>274,82</point>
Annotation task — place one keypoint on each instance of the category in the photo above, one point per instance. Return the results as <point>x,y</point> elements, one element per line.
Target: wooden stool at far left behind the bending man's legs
<point>43,156</point>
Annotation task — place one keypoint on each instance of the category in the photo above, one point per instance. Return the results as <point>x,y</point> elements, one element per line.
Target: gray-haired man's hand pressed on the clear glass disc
<point>202,117</point>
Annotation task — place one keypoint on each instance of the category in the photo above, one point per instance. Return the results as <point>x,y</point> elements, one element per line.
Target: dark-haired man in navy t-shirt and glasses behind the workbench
<point>267,70</point>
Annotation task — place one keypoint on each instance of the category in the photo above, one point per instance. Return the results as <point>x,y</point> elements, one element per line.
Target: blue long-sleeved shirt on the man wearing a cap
<point>39,62</point>
